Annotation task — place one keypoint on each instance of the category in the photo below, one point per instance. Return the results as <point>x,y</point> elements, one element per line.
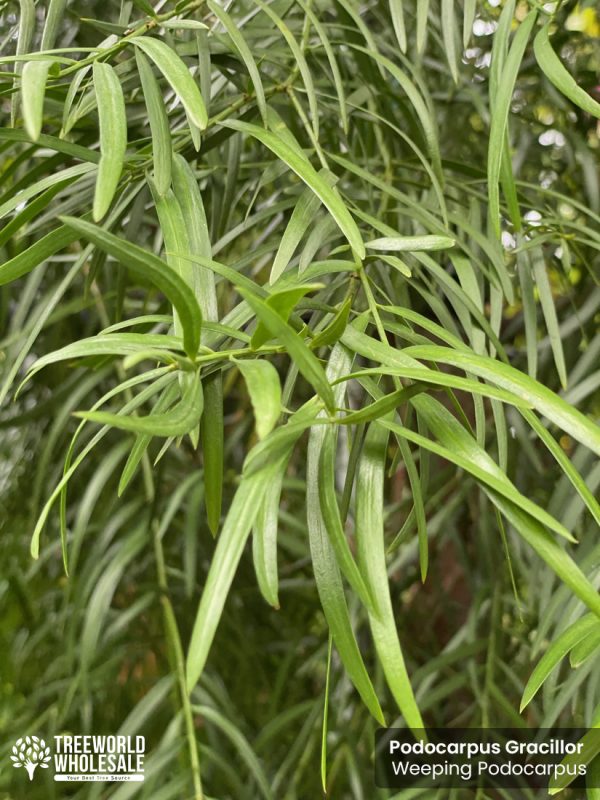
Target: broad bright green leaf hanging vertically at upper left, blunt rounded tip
<point>113,136</point>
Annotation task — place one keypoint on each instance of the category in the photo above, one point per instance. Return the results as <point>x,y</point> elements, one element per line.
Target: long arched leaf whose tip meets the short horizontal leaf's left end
<point>306,172</point>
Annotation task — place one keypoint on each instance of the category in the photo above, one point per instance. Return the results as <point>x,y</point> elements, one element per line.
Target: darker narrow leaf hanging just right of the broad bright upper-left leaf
<point>159,124</point>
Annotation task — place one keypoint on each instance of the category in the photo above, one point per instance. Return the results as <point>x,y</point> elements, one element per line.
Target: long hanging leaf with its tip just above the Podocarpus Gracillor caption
<point>372,562</point>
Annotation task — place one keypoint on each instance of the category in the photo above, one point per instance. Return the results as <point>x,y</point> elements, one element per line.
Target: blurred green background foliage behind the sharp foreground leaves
<point>89,653</point>
